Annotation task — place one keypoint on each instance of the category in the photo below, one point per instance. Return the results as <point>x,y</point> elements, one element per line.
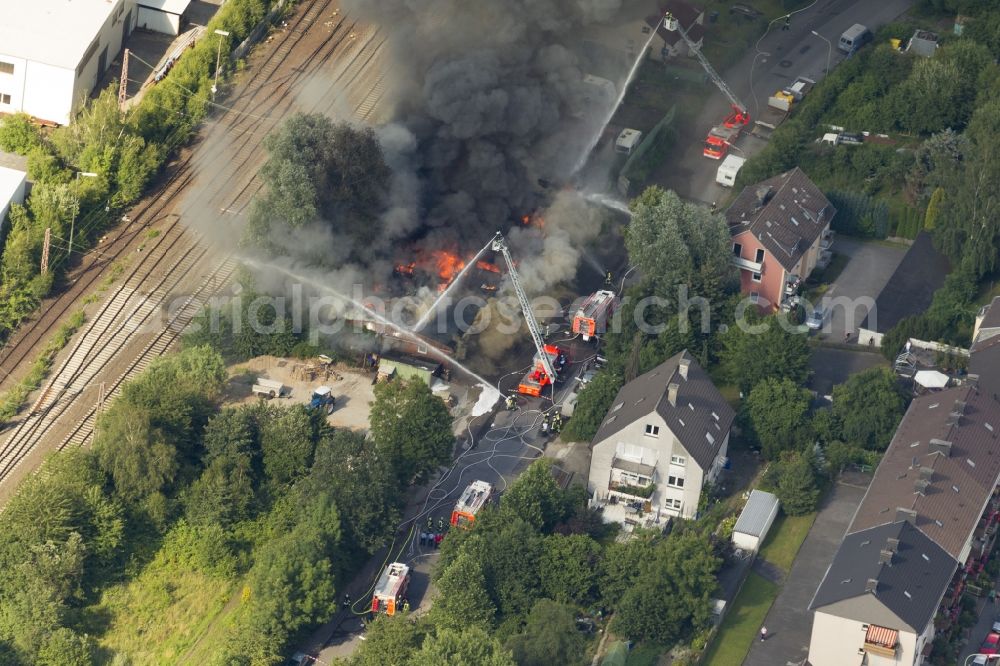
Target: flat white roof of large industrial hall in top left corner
<point>54,32</point>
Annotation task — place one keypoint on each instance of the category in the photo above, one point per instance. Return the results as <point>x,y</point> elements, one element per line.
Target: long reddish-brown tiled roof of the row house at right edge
<point>945,491</point>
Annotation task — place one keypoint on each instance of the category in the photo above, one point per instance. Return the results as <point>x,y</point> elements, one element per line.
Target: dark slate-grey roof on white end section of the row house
<point>910,584</point>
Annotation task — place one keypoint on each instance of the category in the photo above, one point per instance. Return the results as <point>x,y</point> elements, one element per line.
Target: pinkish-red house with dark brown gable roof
<point>779,227</point>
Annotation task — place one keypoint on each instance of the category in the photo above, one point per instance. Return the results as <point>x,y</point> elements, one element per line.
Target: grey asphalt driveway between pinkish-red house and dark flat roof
<point>853,293</point>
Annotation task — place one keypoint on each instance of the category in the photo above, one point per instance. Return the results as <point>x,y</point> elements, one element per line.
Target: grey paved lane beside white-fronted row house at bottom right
<point>789,623</point>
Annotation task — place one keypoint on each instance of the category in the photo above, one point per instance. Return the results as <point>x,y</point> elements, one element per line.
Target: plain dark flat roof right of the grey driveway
<point>911,288</point>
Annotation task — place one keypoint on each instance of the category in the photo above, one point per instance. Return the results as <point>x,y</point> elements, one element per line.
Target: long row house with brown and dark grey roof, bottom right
<point>927,522</point>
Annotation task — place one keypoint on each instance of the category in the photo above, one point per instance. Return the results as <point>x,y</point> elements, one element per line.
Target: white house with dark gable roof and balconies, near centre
<point>665,437</point>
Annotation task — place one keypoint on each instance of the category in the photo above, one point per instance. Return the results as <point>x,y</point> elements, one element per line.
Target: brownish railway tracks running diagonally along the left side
<point>66,410</point>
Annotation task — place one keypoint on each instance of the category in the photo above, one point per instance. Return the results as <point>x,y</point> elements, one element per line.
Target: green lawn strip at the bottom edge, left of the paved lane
<point>742,622</point>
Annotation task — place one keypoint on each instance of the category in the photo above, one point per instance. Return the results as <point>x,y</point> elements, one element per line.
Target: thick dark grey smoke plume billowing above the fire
<point>493,96</point>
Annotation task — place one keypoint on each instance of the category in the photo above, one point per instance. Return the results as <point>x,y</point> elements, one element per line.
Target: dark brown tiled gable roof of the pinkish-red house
<point>793,214</point>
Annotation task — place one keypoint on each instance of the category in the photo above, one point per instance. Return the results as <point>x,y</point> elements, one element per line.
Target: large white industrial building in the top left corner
<point>53,53</point>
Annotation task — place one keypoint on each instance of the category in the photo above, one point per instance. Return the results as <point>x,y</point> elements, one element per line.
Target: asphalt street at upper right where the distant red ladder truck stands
<point>789,54</point>
